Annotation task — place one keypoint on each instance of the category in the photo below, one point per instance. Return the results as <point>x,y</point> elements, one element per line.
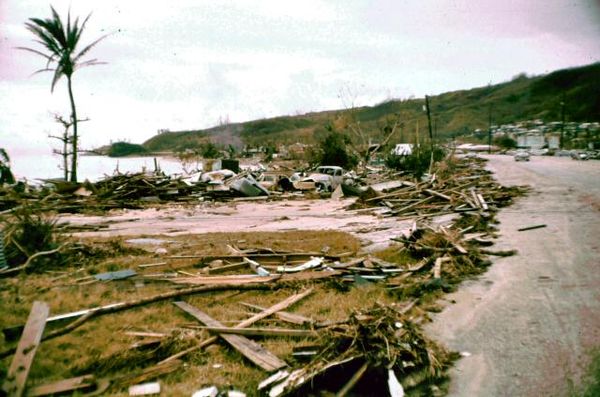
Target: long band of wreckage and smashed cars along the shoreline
<point>144,189</point>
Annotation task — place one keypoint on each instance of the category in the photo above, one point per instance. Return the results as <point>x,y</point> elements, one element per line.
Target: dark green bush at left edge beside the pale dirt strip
<point>29,232</point>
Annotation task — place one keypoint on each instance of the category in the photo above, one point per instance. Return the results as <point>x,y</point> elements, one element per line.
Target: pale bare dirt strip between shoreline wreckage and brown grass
<point>373,230</point>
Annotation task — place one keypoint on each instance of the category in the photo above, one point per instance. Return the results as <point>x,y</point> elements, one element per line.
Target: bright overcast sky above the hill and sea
<point>187,64</point>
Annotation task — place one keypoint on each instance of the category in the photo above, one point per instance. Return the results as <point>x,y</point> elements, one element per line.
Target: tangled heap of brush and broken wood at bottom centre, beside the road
<point>381,346</point>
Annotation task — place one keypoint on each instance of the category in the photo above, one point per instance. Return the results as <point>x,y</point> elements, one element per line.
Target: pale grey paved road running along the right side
<point>530,321</point>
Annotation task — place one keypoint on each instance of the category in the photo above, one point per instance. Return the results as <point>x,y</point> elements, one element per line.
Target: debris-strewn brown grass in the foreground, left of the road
<point>334,338</point>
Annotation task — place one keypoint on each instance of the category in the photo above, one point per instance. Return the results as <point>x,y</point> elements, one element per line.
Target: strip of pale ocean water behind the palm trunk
<point>33,166</point>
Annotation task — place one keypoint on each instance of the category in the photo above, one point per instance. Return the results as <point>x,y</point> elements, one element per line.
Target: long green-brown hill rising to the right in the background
<point>453,113</point>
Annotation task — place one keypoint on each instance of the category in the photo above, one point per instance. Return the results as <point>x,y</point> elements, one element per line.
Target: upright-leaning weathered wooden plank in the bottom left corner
<point>14,384</point>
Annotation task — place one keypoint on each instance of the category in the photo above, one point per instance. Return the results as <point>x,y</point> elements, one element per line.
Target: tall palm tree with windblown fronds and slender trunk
<point>62,58</point>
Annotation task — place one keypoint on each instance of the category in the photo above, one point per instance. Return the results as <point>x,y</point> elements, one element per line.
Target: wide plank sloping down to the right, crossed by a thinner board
<point>249,349</point>
